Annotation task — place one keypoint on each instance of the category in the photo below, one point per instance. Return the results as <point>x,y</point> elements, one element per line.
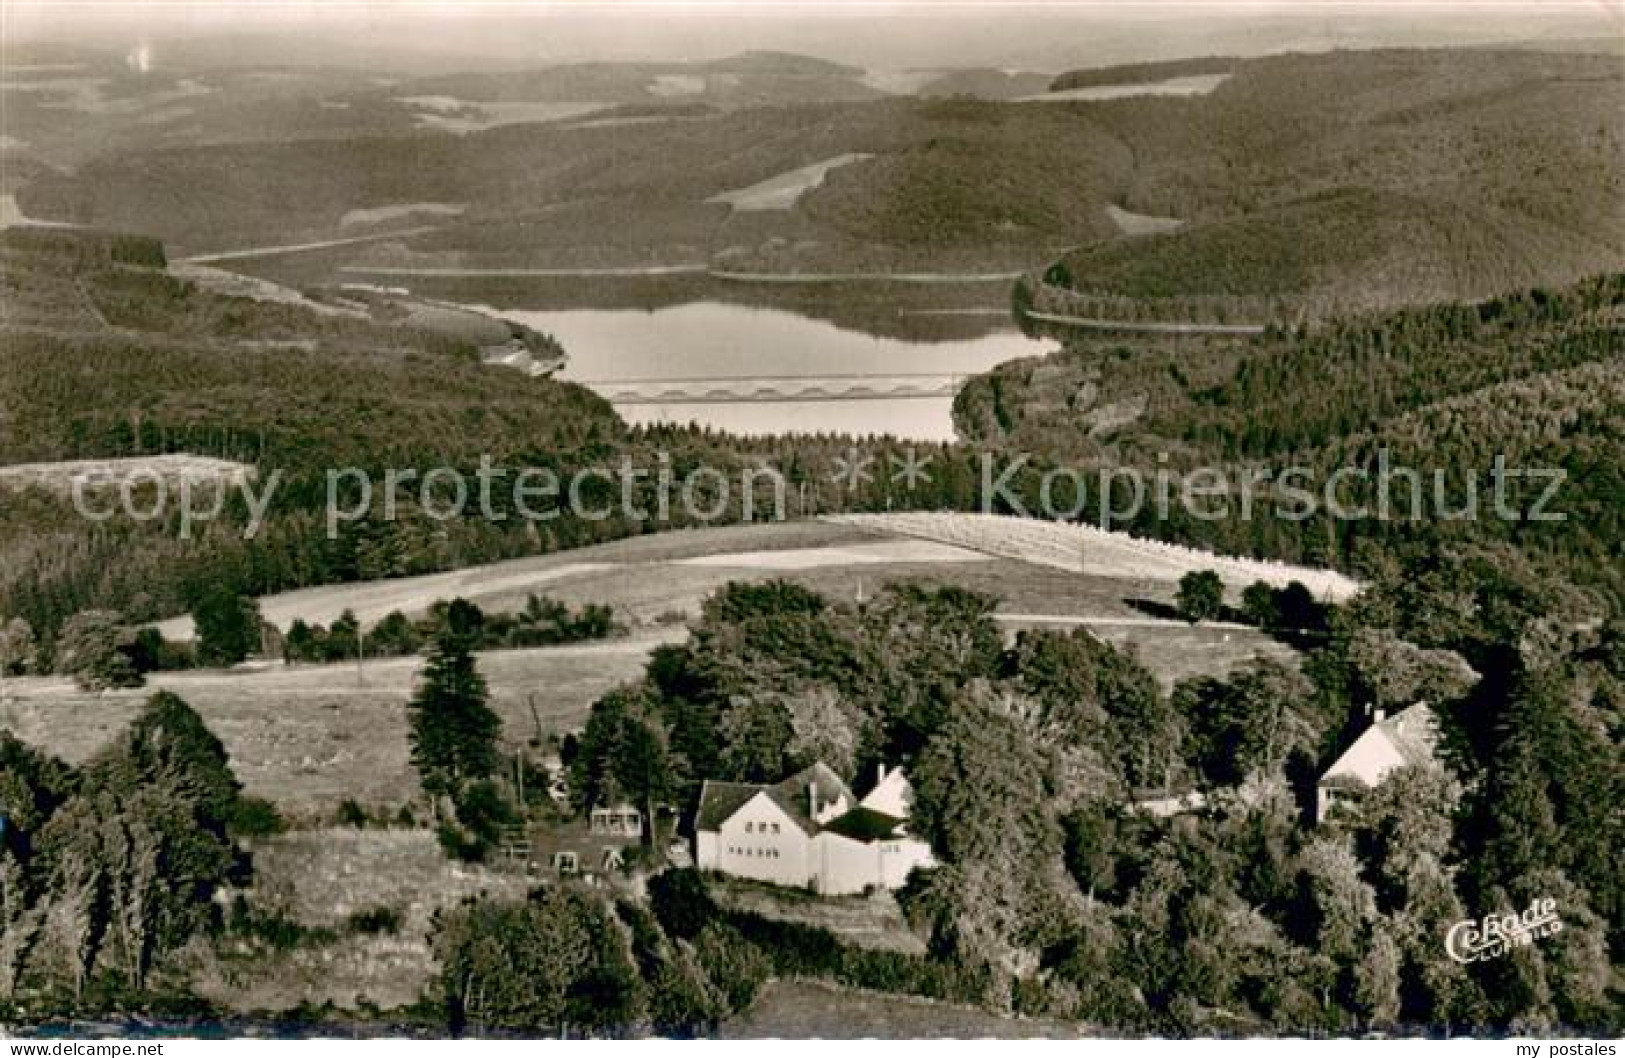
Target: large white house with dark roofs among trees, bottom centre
<point>808,831</point>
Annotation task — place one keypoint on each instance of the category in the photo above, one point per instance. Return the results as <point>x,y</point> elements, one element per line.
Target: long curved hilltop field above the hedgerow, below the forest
<point>656,583</point>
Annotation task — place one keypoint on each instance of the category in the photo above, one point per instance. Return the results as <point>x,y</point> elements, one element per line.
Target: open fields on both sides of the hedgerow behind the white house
<point>311,737</point>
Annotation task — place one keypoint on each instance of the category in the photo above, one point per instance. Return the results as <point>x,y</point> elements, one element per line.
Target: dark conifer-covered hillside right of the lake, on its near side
<point>1535,378</point>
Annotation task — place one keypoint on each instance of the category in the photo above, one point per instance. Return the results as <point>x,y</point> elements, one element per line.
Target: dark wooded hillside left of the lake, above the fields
<point>108,355</point>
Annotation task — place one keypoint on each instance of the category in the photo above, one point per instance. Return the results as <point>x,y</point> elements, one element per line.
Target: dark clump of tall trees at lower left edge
<point>110,869</point>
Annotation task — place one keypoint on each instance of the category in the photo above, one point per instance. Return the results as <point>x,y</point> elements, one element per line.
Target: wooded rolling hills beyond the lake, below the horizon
<point>1350,180</point>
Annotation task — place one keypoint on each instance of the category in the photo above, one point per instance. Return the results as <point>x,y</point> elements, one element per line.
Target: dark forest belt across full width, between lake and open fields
<point>144,363</point>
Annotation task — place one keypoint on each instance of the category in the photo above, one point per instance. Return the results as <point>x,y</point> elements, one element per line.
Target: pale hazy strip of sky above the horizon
<point>1007,33</point>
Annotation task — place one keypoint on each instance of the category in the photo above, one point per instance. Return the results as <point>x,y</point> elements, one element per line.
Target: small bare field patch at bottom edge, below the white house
<point>820,1012</point>
